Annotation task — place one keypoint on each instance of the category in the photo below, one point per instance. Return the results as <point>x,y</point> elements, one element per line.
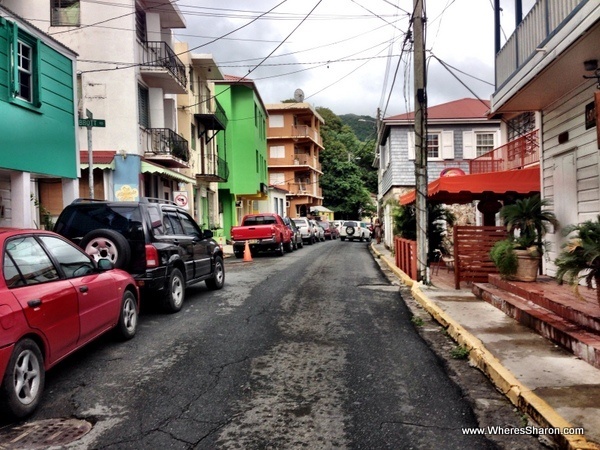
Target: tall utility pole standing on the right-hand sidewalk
<point>420,140</point>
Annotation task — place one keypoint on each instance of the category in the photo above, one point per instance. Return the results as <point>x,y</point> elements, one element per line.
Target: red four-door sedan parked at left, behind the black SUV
<point>55,299</point>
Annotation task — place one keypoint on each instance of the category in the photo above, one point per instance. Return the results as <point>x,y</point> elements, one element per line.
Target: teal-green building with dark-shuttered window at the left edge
<point>37,120</point>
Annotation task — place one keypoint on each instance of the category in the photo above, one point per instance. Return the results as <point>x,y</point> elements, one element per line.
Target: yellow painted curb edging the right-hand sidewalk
<point>521,396</point>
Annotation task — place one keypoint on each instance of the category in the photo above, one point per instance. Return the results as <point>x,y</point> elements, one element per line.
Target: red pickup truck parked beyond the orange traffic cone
<point>263,232</point>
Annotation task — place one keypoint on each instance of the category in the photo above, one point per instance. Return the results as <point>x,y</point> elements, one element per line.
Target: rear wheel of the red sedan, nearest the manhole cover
<point>23,380</point>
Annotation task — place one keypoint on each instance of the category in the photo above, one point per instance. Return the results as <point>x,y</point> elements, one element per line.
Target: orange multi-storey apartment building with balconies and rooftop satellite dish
<point>294,144</point>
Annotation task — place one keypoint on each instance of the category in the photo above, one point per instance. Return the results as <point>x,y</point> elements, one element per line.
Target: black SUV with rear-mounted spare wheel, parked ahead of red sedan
<point>156,241</point>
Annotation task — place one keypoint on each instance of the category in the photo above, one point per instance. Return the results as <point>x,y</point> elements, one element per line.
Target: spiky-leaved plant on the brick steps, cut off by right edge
<point>580,256</point>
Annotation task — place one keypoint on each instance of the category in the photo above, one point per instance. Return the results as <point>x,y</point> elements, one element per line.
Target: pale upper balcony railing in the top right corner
<point>542,21</point>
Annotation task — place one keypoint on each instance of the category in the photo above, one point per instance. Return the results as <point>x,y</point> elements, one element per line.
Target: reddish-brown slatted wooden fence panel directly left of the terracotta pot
<point>472,245</point>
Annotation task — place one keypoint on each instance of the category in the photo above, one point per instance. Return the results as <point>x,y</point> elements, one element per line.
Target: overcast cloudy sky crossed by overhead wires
<point>346,55</point>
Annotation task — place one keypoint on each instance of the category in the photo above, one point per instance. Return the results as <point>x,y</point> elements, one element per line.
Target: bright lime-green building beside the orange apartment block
<point>246,150</point>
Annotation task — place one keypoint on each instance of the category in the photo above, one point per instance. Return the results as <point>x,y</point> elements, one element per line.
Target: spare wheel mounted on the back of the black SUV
<point>107,244</point>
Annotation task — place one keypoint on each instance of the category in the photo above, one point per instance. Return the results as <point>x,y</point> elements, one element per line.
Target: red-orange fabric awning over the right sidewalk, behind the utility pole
<point>481,186</point>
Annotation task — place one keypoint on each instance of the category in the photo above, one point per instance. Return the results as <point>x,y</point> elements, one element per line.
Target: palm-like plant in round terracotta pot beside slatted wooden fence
<point>518,257</point>
